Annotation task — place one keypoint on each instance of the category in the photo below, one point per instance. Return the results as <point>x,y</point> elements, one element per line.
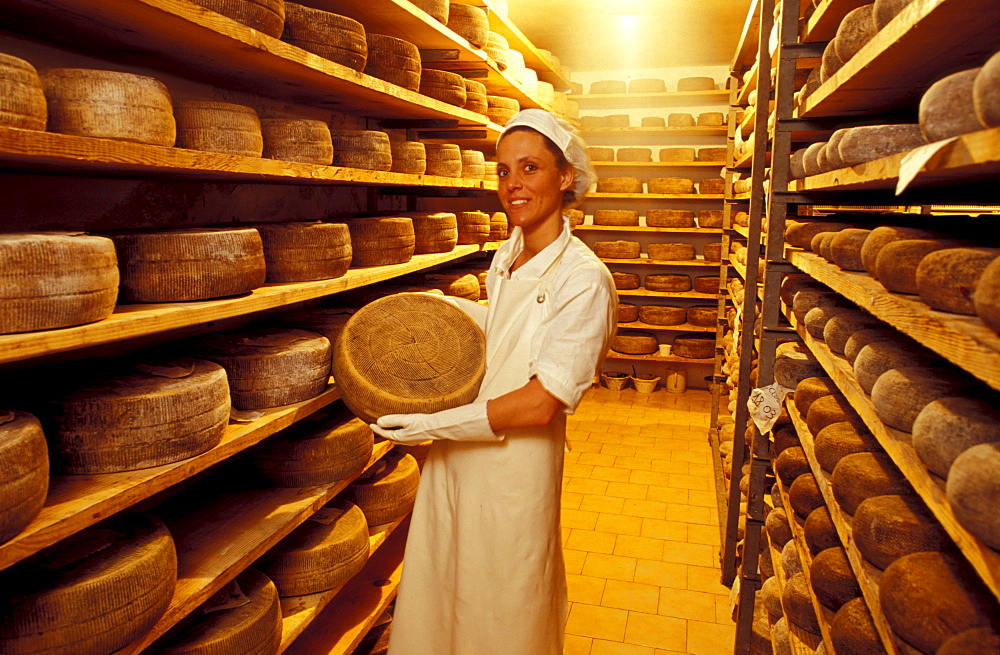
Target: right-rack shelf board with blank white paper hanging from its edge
<point>972,157</point>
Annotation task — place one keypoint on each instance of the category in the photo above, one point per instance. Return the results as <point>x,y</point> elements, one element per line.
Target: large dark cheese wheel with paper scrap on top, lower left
<point>154,413</point>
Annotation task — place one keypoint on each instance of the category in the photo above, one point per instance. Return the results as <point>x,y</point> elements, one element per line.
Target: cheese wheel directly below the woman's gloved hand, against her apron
<point>387,490</point>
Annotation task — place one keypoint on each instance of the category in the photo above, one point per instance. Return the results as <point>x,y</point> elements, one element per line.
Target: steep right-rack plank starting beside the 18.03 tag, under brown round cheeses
<point>867,575</point>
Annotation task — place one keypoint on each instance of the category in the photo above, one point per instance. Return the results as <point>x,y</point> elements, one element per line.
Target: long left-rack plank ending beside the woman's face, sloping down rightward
<point>49,151</point>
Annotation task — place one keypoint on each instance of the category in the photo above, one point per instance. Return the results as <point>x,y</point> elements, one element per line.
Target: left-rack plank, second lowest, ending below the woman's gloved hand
<point>217,541</point>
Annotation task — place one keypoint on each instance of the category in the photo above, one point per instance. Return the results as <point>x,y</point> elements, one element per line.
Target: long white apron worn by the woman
<point>483,572</point>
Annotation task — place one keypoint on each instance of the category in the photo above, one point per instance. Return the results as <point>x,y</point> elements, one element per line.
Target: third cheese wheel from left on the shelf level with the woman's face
<point>218,127</point>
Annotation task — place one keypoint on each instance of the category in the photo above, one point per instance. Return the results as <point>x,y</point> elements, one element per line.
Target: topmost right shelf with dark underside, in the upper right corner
<point>900,65</point>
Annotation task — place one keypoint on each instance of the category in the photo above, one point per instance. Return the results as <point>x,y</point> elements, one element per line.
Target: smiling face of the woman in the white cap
<point>531,183</point>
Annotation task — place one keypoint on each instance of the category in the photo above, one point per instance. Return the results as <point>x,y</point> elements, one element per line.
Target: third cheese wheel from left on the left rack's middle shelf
<point>300,252</point>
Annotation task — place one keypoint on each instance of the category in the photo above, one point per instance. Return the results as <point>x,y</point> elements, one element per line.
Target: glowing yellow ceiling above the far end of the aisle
<point>595,35</point>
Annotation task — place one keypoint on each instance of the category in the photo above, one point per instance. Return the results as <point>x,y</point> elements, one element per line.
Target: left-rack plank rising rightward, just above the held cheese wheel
<point>137,320</point>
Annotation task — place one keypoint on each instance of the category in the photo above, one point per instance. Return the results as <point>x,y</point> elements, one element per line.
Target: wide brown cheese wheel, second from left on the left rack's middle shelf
<point>192,264</point>
